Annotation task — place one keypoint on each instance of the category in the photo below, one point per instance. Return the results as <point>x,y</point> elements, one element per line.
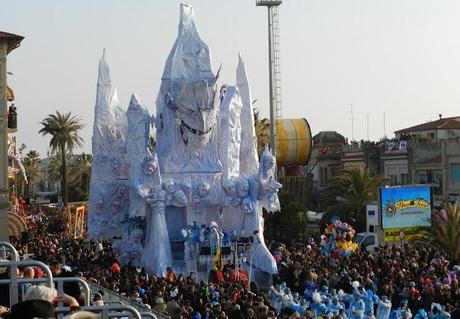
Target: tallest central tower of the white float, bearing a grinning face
<point>186,105</point>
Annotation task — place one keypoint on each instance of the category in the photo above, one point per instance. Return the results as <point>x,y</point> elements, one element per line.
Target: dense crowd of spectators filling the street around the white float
<point>409,277</point>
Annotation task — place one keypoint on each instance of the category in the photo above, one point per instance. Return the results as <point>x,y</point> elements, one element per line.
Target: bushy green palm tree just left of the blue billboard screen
<point>352,191</point>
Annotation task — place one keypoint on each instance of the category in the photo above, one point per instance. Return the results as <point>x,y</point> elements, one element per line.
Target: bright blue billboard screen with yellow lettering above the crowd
<point>405,206</point>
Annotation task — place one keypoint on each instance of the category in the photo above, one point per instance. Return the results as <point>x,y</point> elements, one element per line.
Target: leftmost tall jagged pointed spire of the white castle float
<point>104,170</point>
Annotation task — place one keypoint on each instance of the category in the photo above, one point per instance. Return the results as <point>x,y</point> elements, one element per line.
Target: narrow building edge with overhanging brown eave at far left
<point>8,42</point>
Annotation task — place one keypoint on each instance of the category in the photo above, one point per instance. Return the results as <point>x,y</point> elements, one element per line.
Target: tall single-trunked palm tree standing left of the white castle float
<point>63,129</point>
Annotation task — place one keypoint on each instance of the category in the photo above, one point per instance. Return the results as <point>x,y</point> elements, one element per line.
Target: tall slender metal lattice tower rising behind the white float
<point>274,65</point>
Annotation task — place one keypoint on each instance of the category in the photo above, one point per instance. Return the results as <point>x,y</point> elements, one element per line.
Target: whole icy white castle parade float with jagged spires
<point>161,208</point>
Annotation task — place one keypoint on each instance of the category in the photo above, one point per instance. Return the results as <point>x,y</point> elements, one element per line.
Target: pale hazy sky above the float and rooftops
<point>397,57</point>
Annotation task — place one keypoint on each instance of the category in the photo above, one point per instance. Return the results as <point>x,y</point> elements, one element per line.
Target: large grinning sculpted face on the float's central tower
<point>196,111</point>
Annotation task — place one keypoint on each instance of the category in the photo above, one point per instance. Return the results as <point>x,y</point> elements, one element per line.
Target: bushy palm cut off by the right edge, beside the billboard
<point>445,230</point>
